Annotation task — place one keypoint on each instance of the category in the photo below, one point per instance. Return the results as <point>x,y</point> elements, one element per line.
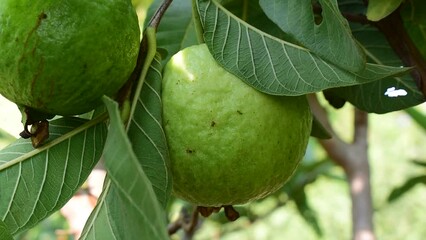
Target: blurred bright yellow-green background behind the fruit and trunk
<point>315,204</point>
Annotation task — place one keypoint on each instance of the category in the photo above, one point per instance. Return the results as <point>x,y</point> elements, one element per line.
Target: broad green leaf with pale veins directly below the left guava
<point>34,183</point>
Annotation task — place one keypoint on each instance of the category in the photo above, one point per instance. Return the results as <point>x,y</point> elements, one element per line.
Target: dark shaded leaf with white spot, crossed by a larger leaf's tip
<point>375,97</point>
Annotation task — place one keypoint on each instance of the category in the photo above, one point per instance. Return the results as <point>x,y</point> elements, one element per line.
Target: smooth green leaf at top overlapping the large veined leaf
<point>331,39</point>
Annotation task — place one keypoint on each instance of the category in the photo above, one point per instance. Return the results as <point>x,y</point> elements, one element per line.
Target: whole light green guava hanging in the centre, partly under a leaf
<point>229,143</point>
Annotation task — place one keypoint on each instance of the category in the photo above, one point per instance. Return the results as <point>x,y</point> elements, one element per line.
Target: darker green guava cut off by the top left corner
<point>61,56</point>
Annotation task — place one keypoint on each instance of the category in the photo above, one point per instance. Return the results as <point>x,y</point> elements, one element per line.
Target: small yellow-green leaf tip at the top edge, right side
<point>379,9</point>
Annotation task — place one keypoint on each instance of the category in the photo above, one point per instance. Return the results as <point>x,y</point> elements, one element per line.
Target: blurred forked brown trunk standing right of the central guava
<point>353,158</point>
